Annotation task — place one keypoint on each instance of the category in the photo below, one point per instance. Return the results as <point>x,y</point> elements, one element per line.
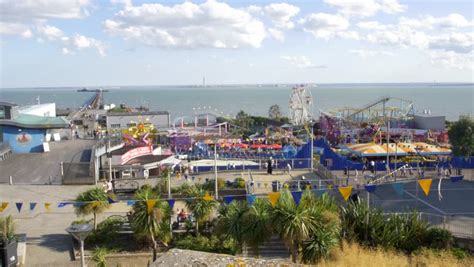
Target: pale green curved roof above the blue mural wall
<point>32,121</point>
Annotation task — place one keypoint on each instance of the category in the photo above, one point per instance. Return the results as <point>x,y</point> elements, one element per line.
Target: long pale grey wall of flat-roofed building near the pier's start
<point>159,121</point>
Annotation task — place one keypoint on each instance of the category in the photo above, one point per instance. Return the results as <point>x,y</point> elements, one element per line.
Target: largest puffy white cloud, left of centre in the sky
<point>188,25</point>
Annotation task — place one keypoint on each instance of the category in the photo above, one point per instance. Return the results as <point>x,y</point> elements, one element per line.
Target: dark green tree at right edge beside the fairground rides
<point>461,136</point>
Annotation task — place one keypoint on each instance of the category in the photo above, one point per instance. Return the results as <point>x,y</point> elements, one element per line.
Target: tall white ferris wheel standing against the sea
<point>301,105</point>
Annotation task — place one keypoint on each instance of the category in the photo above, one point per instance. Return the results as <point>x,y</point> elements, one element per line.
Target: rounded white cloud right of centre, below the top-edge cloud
<point>323,25</point>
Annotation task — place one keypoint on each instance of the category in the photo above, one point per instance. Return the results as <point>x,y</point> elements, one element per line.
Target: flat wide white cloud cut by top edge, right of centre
<point>366,8</point>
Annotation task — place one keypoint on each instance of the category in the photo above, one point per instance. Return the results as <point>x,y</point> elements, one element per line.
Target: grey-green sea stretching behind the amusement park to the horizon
<point>448,99</point>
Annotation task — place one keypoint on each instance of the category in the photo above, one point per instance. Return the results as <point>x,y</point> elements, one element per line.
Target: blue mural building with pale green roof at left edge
<point>25,133</point>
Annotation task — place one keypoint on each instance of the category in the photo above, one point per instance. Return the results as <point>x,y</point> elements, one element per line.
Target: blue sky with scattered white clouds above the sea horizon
<point>55,43</point>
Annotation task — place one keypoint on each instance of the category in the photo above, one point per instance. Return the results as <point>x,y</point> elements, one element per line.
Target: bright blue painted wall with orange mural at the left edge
<point>23,140</point>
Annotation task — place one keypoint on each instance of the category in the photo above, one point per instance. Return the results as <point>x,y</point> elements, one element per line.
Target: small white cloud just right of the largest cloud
<point>281,14</point>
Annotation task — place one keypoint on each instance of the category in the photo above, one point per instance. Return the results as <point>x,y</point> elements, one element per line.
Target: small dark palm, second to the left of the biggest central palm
<point>230,221</point>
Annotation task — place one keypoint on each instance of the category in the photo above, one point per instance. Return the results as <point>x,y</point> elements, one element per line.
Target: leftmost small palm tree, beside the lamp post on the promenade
<point>93,201</point>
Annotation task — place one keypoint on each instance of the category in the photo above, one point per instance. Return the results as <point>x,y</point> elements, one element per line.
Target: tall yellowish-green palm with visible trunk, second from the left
<point>151,224</point>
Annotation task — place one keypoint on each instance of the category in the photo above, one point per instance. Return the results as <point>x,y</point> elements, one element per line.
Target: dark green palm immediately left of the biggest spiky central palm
<point>258,224</point>
